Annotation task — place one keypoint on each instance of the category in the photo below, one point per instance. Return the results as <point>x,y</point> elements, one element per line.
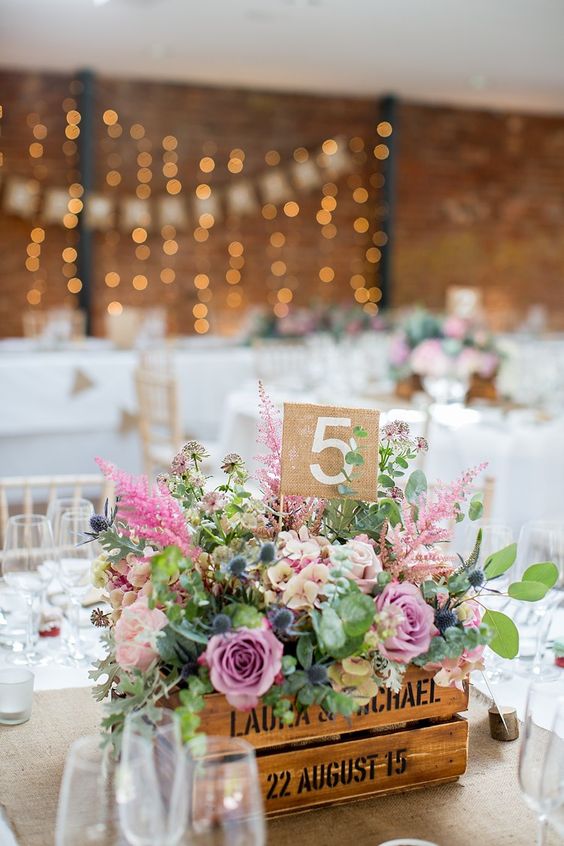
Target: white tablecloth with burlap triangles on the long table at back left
<point>61,409</point>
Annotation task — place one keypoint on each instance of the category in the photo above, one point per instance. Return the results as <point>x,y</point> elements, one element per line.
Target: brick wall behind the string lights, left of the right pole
<point>202,122</point>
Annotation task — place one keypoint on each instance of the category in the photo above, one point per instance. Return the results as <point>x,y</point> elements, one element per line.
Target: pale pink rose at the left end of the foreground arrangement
<point>136,635</point>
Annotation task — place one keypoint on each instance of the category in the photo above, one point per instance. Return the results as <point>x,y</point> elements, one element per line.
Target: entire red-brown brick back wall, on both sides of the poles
<point>480,201</point>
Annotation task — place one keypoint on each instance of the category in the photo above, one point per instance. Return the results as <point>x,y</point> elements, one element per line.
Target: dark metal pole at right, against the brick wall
<point>388,114</point>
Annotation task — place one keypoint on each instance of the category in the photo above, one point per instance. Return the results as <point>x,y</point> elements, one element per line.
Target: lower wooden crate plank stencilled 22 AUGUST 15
<point>298,779</point>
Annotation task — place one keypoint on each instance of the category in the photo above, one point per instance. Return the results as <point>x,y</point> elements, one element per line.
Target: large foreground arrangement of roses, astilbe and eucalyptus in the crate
<point>324,603</point>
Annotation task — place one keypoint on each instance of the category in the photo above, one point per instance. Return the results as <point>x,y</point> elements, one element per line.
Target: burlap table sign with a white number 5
<point>315,441</point>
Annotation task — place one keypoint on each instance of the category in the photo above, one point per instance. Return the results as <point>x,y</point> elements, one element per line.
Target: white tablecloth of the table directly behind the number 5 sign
<point>524,456</point>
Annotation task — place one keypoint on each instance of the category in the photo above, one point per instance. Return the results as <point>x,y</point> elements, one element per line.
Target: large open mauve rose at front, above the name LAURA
<point>243,664</point>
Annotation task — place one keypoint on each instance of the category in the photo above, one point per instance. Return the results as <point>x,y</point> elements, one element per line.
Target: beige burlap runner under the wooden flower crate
<point>484,808</point>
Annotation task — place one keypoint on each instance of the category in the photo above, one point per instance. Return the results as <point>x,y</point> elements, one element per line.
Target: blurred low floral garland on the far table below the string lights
<point>300,322</point>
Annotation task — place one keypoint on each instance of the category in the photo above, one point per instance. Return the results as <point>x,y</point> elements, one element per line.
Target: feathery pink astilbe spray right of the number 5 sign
<point>411,542</point>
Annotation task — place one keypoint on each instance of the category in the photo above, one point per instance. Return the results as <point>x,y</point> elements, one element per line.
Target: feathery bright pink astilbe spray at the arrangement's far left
<point>151,515</point>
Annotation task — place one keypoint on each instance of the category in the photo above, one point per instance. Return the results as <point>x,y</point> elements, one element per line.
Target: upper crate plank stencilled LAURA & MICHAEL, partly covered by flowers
<point>419,699</point>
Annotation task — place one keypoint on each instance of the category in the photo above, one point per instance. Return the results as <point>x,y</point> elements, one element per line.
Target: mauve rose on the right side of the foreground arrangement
<point>415,625</point>
